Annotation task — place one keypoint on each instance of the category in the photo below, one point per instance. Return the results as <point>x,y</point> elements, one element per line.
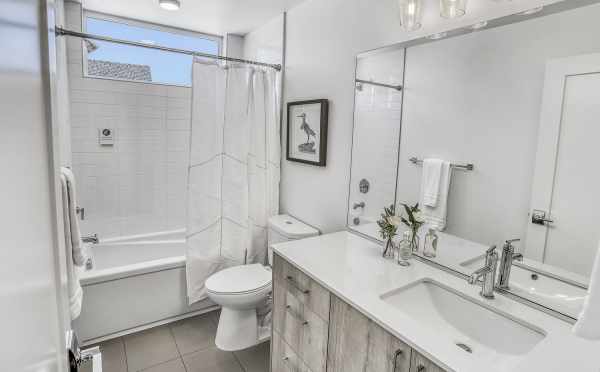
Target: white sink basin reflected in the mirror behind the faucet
<point>542,289</point>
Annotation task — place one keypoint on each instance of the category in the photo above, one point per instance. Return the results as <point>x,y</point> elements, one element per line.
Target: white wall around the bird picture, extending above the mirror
<point>323,38</point>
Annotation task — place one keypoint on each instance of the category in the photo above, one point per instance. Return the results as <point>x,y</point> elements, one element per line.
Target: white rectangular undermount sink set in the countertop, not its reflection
<point>471,325</point>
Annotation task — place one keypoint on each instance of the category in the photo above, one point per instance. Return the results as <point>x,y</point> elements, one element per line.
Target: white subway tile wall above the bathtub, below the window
<point>138,185</point>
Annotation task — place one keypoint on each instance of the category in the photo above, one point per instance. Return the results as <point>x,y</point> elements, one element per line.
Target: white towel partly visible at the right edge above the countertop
<point>588,323</point>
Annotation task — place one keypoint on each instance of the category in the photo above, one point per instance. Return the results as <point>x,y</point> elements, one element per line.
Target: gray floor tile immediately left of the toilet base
<point>193,334</point>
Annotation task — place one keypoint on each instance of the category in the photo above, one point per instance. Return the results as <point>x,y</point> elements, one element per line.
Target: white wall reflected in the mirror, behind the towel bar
<point>476,98</point>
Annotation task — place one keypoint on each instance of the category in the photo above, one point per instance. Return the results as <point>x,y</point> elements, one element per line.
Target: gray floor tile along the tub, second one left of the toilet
<point>149,348</point>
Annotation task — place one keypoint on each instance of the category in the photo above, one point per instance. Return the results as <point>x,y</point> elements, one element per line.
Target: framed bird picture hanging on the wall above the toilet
<point>307,131</point>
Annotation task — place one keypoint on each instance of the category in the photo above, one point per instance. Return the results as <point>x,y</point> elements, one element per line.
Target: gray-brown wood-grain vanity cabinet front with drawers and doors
<point>315,331</point>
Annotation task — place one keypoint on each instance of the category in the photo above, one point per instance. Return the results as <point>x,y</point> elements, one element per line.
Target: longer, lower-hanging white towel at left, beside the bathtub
<point>74,287</point>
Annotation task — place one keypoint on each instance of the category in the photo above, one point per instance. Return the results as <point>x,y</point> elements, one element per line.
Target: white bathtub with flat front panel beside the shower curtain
<point>134,283</point>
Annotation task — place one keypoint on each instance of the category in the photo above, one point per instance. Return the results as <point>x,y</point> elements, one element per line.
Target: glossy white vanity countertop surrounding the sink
<point>351,267</point>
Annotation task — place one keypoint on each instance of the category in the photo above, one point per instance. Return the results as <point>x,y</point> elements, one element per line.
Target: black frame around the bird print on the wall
<point>321,161</point>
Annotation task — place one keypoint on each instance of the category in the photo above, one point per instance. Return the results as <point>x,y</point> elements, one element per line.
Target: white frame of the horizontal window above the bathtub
<point>143,24</point>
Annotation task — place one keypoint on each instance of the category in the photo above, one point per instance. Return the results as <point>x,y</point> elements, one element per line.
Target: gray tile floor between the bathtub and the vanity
<point>184,346</point>
